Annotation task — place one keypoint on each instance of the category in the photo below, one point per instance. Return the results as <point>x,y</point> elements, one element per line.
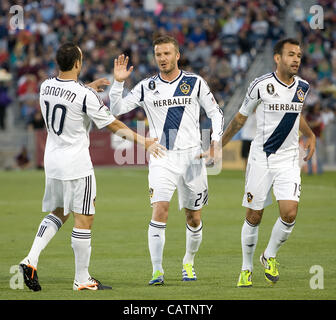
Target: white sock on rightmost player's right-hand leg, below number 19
<point>280,233</point>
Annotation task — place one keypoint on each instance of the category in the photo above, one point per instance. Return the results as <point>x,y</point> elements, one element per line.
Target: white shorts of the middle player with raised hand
<point>179,170</point>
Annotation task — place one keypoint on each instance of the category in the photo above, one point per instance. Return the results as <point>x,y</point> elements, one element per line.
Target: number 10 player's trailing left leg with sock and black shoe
<point>48,227</point>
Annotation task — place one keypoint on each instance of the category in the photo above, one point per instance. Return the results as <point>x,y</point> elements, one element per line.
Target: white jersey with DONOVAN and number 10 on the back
<point>68,107</point>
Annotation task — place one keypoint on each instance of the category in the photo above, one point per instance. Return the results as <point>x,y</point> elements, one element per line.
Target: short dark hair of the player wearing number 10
<point>66,56</point>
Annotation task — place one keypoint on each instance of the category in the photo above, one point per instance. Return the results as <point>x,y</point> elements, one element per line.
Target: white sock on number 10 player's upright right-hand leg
<point>81,245</point>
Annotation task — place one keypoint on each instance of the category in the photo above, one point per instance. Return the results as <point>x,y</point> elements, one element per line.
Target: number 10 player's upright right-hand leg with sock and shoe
<point>81,245</point>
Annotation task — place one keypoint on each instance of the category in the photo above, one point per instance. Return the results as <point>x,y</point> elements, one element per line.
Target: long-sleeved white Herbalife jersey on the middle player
<point>172,108</point>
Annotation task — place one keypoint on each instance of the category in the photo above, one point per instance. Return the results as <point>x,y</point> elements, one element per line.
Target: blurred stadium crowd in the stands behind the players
<point>218,39</point>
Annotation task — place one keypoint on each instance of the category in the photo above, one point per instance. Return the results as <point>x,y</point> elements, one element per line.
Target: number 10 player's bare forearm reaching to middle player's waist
<point>150,144</point>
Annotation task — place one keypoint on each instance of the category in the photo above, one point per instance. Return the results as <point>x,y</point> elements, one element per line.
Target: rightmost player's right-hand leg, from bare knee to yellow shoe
<point>280,233</point>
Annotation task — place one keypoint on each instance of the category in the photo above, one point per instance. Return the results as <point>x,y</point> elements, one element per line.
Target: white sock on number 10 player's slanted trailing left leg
<point>46,231</point>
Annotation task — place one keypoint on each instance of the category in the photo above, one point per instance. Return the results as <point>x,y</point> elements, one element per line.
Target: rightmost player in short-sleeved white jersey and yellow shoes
<point>278,98</point>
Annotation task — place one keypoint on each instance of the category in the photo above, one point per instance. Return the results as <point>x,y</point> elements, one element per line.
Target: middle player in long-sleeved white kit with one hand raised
<point>172,100</point>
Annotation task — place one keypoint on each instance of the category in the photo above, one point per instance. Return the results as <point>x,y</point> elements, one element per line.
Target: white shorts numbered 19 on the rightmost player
<point>286,183</point>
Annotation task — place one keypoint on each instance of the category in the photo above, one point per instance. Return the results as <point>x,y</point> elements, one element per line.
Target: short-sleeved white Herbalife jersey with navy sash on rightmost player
<point>278,109</point>
